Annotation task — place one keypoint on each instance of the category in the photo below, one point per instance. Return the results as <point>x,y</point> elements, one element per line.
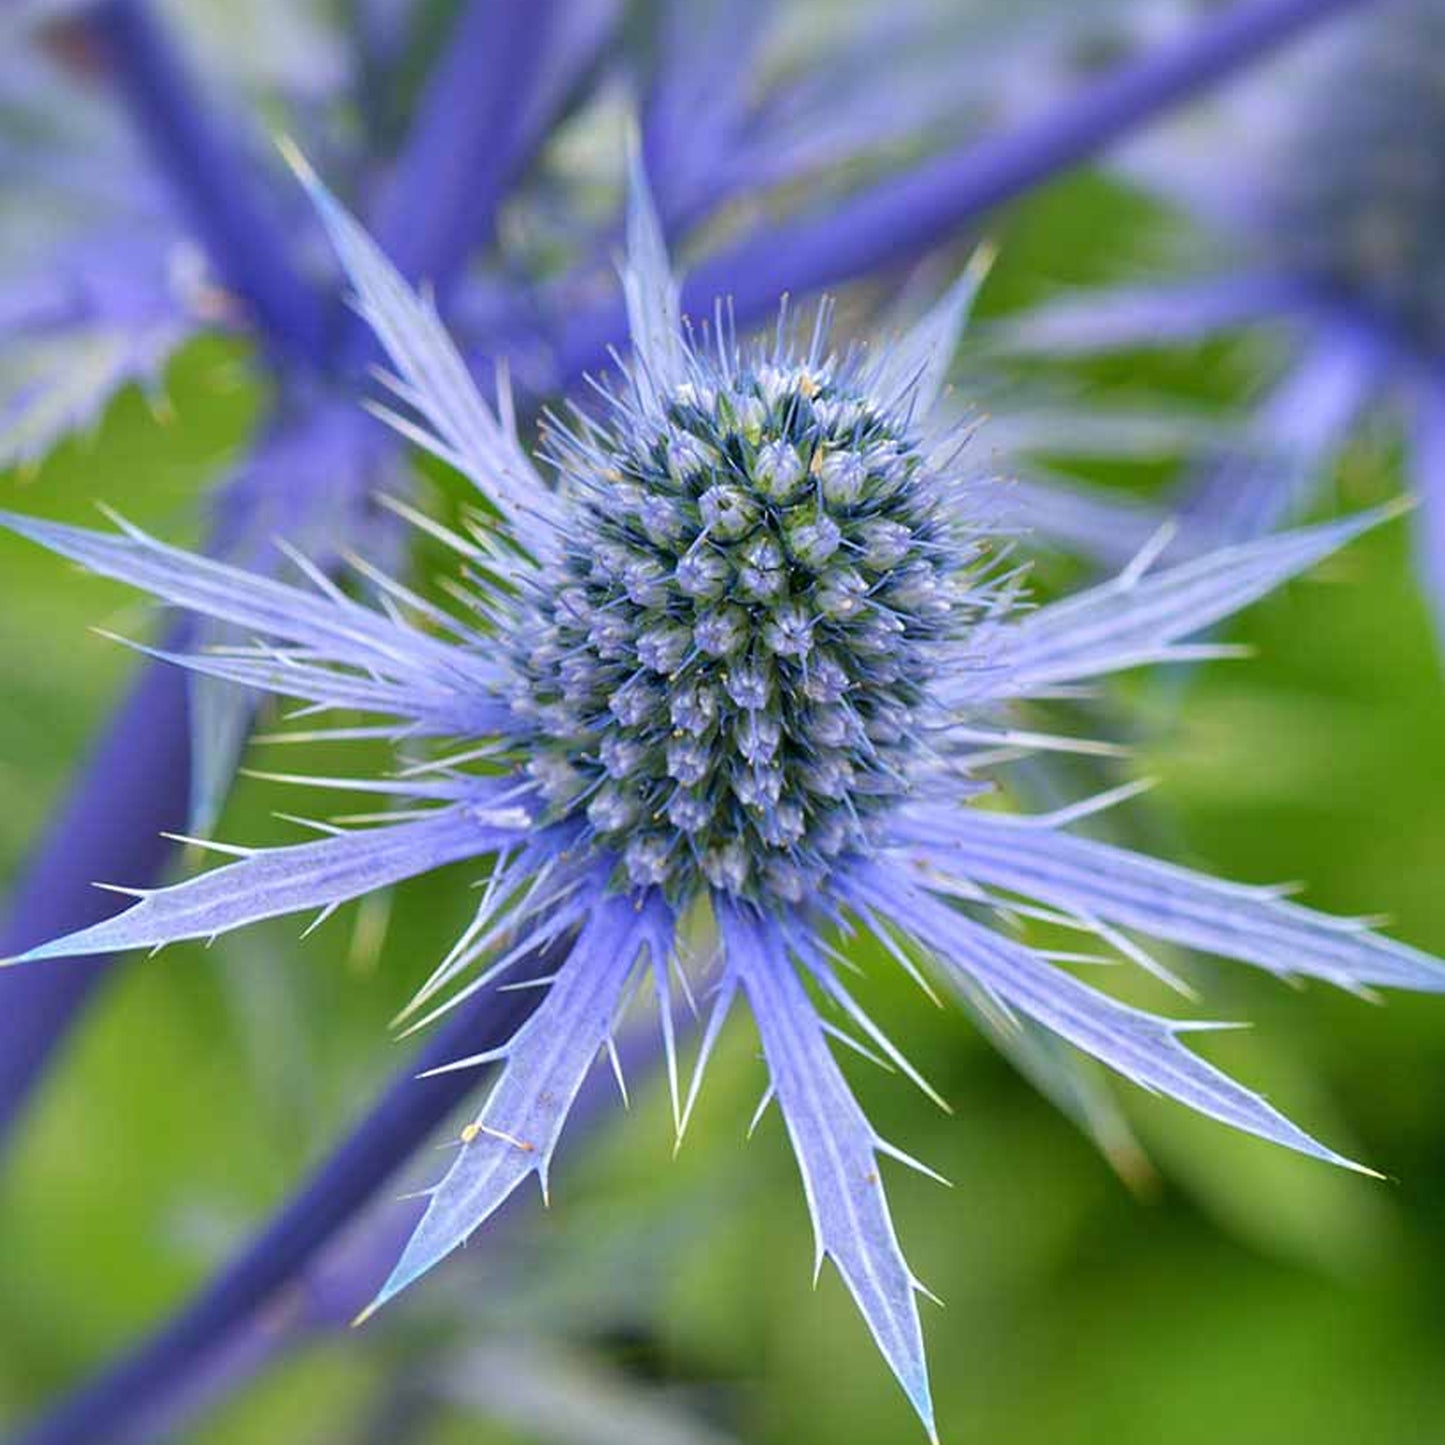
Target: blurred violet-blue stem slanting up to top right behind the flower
<point>905,216</point>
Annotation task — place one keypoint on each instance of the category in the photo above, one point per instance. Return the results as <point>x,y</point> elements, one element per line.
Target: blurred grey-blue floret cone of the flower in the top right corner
<point>1362,202</point>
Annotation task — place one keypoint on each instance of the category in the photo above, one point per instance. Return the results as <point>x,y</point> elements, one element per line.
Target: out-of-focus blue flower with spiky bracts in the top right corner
<point>1324,178</point>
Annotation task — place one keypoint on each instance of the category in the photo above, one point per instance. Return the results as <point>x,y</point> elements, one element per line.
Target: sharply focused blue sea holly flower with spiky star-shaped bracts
<point>735,664</point>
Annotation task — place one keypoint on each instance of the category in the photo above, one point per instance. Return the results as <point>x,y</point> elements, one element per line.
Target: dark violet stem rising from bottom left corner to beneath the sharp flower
<point>111,1407</point>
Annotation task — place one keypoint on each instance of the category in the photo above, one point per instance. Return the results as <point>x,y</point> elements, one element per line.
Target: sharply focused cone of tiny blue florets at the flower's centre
<point>726,671</point>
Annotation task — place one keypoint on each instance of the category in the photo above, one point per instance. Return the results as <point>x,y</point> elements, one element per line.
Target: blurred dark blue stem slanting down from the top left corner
<point>209,178</point>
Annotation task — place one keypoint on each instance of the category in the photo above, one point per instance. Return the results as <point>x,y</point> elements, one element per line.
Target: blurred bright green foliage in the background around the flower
<point>1236,1294</point>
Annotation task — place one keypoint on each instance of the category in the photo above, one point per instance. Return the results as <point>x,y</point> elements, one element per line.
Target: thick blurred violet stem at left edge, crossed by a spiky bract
<point>132,790</point>
